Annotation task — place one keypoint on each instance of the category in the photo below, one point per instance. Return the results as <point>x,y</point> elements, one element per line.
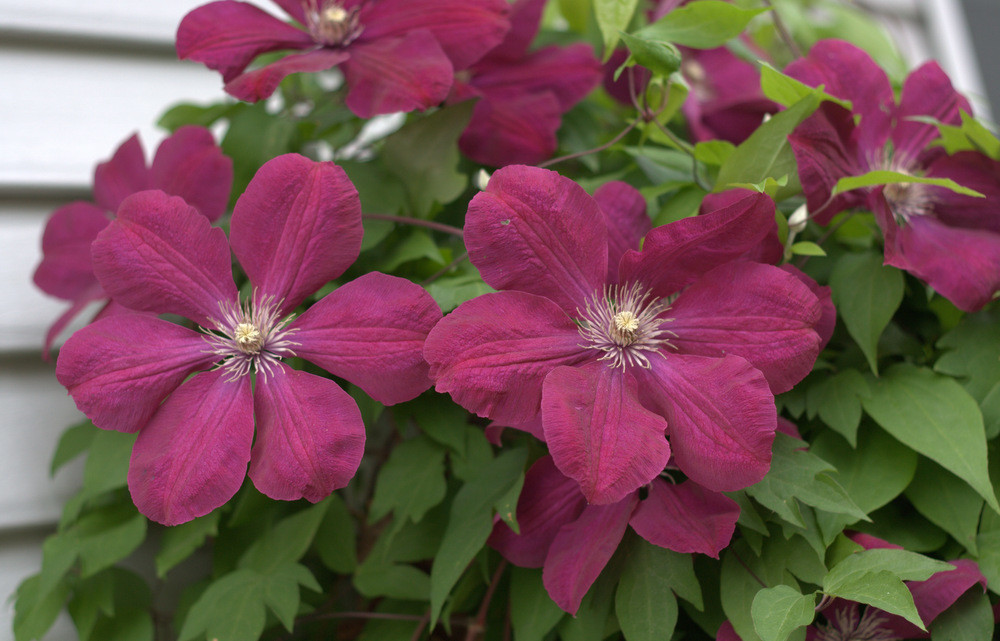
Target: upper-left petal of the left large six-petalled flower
<point>160,255</point>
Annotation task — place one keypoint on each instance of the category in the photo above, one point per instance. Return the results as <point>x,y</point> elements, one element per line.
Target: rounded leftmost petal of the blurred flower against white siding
<point>65,271</point>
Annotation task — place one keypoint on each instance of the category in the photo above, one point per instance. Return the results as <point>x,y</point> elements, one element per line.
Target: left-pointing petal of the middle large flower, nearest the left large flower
<point>493,352</point>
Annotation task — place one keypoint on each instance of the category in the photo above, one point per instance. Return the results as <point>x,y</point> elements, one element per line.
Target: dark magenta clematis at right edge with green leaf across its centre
<point>949,240</point>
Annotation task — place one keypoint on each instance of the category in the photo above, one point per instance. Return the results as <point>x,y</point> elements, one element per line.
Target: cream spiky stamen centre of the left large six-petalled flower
<point>250,336</point>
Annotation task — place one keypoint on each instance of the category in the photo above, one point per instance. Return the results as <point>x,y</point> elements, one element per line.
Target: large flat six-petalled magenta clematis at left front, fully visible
<point>297,226</point>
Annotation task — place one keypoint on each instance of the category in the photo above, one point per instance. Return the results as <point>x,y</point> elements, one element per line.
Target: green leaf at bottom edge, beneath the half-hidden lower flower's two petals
<point>644,601</point>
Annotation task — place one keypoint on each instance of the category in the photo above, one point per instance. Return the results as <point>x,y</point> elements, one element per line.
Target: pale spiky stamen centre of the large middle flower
<point>623,321</point>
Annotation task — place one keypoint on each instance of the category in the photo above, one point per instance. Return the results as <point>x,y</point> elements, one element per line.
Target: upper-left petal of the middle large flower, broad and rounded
<point>533,230</point>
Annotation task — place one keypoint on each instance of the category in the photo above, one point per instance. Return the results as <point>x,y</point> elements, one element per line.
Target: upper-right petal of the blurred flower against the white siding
<point>189,164</point>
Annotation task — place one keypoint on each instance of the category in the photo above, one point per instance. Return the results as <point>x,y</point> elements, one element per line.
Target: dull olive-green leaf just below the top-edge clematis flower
<point>424,154</point>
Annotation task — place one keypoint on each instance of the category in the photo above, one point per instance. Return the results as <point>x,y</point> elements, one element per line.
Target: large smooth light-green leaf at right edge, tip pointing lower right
<point>936,417</point>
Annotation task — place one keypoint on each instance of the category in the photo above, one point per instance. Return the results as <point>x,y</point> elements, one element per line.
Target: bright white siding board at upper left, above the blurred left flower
<point>62,112</point>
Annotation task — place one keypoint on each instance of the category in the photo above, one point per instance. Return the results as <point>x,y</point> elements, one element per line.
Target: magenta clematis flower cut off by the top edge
<point>396,55</point>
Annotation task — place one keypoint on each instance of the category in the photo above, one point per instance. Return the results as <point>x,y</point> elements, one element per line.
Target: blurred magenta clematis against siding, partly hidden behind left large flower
<point>187,164</point>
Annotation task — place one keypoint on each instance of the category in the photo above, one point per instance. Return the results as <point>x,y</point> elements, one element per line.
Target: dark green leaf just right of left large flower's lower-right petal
<point>411,481</point>
